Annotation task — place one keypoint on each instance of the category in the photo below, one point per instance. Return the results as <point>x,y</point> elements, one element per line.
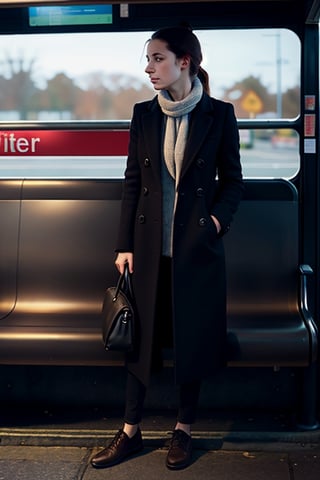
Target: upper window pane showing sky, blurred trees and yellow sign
<point>100,75</point>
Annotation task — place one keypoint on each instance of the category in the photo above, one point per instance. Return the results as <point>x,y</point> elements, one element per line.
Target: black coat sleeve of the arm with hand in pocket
<point>230,183</point>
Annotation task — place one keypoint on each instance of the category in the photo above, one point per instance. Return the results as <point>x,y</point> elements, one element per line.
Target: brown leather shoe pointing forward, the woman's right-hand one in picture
<point>180,451</point>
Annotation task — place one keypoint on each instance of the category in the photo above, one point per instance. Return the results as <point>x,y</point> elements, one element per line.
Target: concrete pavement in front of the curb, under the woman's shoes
<point>73,463</point>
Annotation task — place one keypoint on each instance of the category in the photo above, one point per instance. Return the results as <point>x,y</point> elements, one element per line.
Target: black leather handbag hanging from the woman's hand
<point>118,315</point>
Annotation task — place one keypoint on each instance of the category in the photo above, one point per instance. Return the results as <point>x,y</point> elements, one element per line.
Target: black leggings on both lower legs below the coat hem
<point>136,392</point>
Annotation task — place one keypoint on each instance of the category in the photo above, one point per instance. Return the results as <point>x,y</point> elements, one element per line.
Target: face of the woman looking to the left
<point>166,71</point>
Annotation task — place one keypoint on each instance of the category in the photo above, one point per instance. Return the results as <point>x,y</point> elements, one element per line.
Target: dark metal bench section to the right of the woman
<point>268,318</point>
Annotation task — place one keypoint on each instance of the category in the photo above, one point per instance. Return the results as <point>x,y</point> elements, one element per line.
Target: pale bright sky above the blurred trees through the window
<point>229,56</point>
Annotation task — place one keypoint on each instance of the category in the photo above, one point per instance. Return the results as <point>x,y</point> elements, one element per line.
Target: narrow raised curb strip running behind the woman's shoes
<point>213,440</point>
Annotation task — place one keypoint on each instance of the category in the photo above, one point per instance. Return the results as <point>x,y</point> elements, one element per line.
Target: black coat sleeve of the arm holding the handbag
<point>131,189</point>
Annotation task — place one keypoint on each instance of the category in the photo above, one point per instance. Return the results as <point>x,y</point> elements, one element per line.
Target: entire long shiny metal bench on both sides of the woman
<point>57,249</point>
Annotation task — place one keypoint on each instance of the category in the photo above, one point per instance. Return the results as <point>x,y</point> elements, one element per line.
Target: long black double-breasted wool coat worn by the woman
<point>210,184</point>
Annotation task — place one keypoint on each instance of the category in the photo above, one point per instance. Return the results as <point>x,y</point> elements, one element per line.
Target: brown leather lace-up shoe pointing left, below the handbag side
<point>120,448</point>
